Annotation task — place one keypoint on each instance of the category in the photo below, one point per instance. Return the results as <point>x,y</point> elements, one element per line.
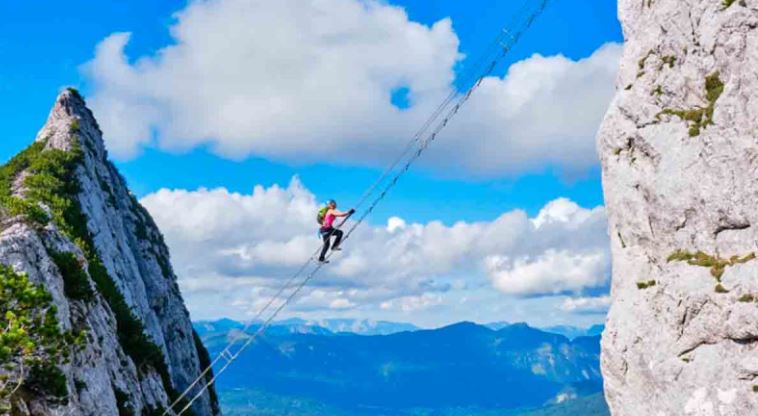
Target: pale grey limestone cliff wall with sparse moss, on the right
<point>679,150</point>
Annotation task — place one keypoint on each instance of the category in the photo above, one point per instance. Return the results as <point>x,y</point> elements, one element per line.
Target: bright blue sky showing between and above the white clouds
<point>43,47</point>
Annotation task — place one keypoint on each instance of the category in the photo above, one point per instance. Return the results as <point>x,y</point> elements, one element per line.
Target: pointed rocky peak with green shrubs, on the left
<point>95,321</point>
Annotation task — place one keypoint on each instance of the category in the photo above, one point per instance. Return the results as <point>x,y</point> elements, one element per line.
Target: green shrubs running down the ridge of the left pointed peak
<point>49,180</point>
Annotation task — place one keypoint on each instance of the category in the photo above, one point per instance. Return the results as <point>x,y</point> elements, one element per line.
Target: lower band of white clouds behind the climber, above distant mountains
<point>235,249</point>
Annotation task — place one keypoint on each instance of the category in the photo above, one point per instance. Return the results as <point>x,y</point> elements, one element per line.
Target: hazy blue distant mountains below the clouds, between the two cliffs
<point>464,365</point>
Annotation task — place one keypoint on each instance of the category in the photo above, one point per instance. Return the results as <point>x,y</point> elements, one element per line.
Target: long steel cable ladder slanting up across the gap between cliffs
<point>420,141</point>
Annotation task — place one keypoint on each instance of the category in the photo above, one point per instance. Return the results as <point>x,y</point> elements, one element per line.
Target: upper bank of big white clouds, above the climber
<point>307,80</point>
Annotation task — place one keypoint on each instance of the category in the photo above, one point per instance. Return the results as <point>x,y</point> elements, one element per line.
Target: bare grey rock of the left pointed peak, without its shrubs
<point>132,250</point>
